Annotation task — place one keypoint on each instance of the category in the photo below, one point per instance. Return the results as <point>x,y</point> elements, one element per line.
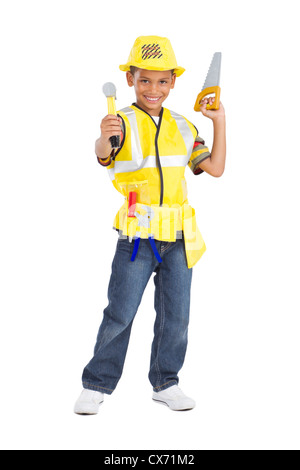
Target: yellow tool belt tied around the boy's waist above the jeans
<point>163,223</point>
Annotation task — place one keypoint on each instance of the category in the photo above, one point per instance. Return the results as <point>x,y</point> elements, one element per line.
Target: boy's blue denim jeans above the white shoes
<point>172,304</point>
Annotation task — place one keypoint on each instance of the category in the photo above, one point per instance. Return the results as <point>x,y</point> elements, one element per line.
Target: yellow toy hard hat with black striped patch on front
<point>152,53</point>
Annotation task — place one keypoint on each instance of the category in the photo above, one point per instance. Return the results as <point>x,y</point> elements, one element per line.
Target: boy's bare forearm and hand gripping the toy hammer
<point>110,125</point>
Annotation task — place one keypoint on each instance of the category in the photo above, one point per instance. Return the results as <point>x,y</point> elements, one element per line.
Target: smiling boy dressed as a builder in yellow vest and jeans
<point>157,228</point>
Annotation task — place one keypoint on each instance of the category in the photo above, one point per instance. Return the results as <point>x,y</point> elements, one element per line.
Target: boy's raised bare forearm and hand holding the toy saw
<point>215,165</point>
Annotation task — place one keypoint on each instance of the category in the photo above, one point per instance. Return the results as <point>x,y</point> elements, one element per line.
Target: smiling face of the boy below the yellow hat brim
<point>151,88</point>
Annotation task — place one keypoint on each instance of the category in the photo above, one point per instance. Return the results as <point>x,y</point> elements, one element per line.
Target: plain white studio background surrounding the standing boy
<point>57,209</point>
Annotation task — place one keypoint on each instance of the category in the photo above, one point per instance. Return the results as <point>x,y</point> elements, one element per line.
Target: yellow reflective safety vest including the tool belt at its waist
<point>151,163</point>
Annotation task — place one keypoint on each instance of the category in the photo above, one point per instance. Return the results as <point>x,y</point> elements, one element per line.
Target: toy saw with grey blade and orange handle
<point>212,83</point>
